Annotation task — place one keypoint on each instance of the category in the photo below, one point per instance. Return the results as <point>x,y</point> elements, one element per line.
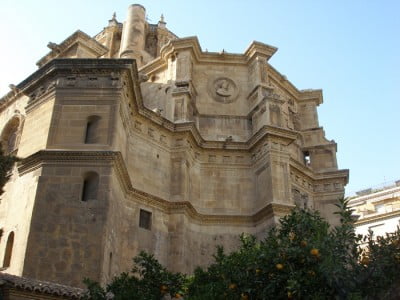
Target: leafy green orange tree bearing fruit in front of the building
<point>302,258</point>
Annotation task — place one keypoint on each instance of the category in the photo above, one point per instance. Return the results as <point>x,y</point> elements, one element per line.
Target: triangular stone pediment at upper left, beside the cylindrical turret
<point>77,45</point>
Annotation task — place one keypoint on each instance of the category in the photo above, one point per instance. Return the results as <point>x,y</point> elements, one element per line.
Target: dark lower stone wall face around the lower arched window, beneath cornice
<point>66,233</point>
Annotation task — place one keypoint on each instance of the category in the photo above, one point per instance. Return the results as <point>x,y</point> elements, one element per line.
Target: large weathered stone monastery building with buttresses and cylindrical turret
<point>135,139</point>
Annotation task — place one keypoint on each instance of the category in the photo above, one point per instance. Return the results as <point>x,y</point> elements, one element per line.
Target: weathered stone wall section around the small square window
<point>124,239</point>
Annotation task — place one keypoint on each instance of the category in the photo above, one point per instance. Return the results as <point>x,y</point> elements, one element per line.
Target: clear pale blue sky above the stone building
<point>350,49</point>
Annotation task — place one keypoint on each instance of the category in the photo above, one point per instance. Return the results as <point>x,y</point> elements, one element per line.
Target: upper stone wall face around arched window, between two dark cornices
<point>75,108</point>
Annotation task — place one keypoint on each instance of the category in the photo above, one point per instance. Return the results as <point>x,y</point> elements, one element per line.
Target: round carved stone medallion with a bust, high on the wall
<point>223,89</point>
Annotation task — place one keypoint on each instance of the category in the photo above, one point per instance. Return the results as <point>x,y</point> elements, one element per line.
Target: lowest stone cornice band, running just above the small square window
<point>45,157</point>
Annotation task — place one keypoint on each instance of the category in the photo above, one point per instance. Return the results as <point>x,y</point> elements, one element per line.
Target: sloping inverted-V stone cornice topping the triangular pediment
<point>77,37</point>
